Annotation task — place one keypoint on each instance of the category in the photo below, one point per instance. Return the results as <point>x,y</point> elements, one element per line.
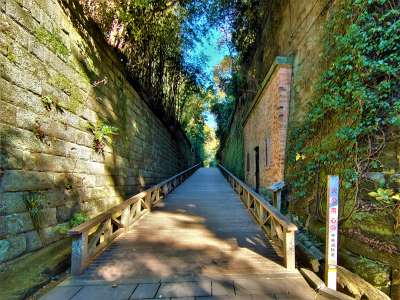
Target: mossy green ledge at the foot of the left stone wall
<point>31,271</point>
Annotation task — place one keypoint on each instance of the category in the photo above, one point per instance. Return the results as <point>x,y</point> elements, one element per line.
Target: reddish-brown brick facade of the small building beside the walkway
<point>266,127</point>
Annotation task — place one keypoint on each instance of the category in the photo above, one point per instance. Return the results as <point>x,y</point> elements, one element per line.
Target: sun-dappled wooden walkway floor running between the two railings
<point>201,242</point>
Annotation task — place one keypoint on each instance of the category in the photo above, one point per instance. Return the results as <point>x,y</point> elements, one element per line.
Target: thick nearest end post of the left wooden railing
<point>79,253</point>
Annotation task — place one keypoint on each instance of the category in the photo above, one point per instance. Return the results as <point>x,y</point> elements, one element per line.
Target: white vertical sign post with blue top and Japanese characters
<point>332,222</point>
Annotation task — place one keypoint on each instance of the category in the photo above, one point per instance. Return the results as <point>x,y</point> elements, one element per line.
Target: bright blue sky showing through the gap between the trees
<point>213,52</point>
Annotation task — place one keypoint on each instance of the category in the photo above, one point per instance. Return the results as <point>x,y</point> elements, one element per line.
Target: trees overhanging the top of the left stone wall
<point>151,36</point>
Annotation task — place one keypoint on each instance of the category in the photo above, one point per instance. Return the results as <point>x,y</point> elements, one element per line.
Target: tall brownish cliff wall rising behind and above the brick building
<point>294,30</point>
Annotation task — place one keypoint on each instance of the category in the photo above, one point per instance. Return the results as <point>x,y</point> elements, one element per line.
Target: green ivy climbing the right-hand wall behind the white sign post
<point>354,105</point>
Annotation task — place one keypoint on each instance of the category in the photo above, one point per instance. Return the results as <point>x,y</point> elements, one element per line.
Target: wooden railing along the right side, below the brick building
<point>275,225</point>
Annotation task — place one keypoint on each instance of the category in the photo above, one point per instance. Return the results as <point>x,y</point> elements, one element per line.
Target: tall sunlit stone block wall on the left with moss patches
<point>58,79</point>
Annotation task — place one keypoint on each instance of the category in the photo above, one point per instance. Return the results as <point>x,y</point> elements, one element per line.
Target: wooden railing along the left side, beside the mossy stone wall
<point>94,235</point>
